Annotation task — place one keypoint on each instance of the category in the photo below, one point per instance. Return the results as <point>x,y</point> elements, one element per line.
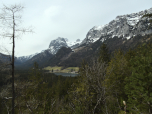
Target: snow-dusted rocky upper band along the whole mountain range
<point>124,26</point>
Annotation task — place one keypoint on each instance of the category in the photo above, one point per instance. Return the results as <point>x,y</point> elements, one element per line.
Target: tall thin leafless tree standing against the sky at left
<point>11,19</point>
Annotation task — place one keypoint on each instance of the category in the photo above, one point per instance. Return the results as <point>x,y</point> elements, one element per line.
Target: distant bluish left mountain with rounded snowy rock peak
<point>54,46</point>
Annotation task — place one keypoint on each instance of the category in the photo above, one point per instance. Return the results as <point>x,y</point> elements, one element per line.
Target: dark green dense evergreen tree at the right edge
<point>138,85</point>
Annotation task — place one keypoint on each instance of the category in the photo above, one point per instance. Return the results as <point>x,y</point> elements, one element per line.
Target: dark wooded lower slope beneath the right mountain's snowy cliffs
<point>76,57</point>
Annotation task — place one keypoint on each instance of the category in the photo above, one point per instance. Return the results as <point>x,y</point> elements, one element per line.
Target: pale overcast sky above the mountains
<point>70,19</point>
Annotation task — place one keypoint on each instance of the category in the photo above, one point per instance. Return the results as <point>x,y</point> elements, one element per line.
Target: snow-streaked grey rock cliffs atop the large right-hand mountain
<point>126,26</point>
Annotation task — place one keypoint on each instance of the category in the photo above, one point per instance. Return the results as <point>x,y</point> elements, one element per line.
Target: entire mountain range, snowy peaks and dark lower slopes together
<point>125,31</point>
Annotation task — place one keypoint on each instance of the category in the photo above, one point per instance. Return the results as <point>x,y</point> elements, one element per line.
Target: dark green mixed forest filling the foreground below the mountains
<point>116,85</point>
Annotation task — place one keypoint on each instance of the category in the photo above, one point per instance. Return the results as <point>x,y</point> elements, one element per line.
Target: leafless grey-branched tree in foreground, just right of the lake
<point>96,75</point>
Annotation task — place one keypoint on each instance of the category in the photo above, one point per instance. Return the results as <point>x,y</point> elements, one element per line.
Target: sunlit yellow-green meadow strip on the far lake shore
<point>60,69</point>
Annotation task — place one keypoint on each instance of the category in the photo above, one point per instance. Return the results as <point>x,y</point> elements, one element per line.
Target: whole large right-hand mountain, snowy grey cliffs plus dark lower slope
<point>124,32</point>
